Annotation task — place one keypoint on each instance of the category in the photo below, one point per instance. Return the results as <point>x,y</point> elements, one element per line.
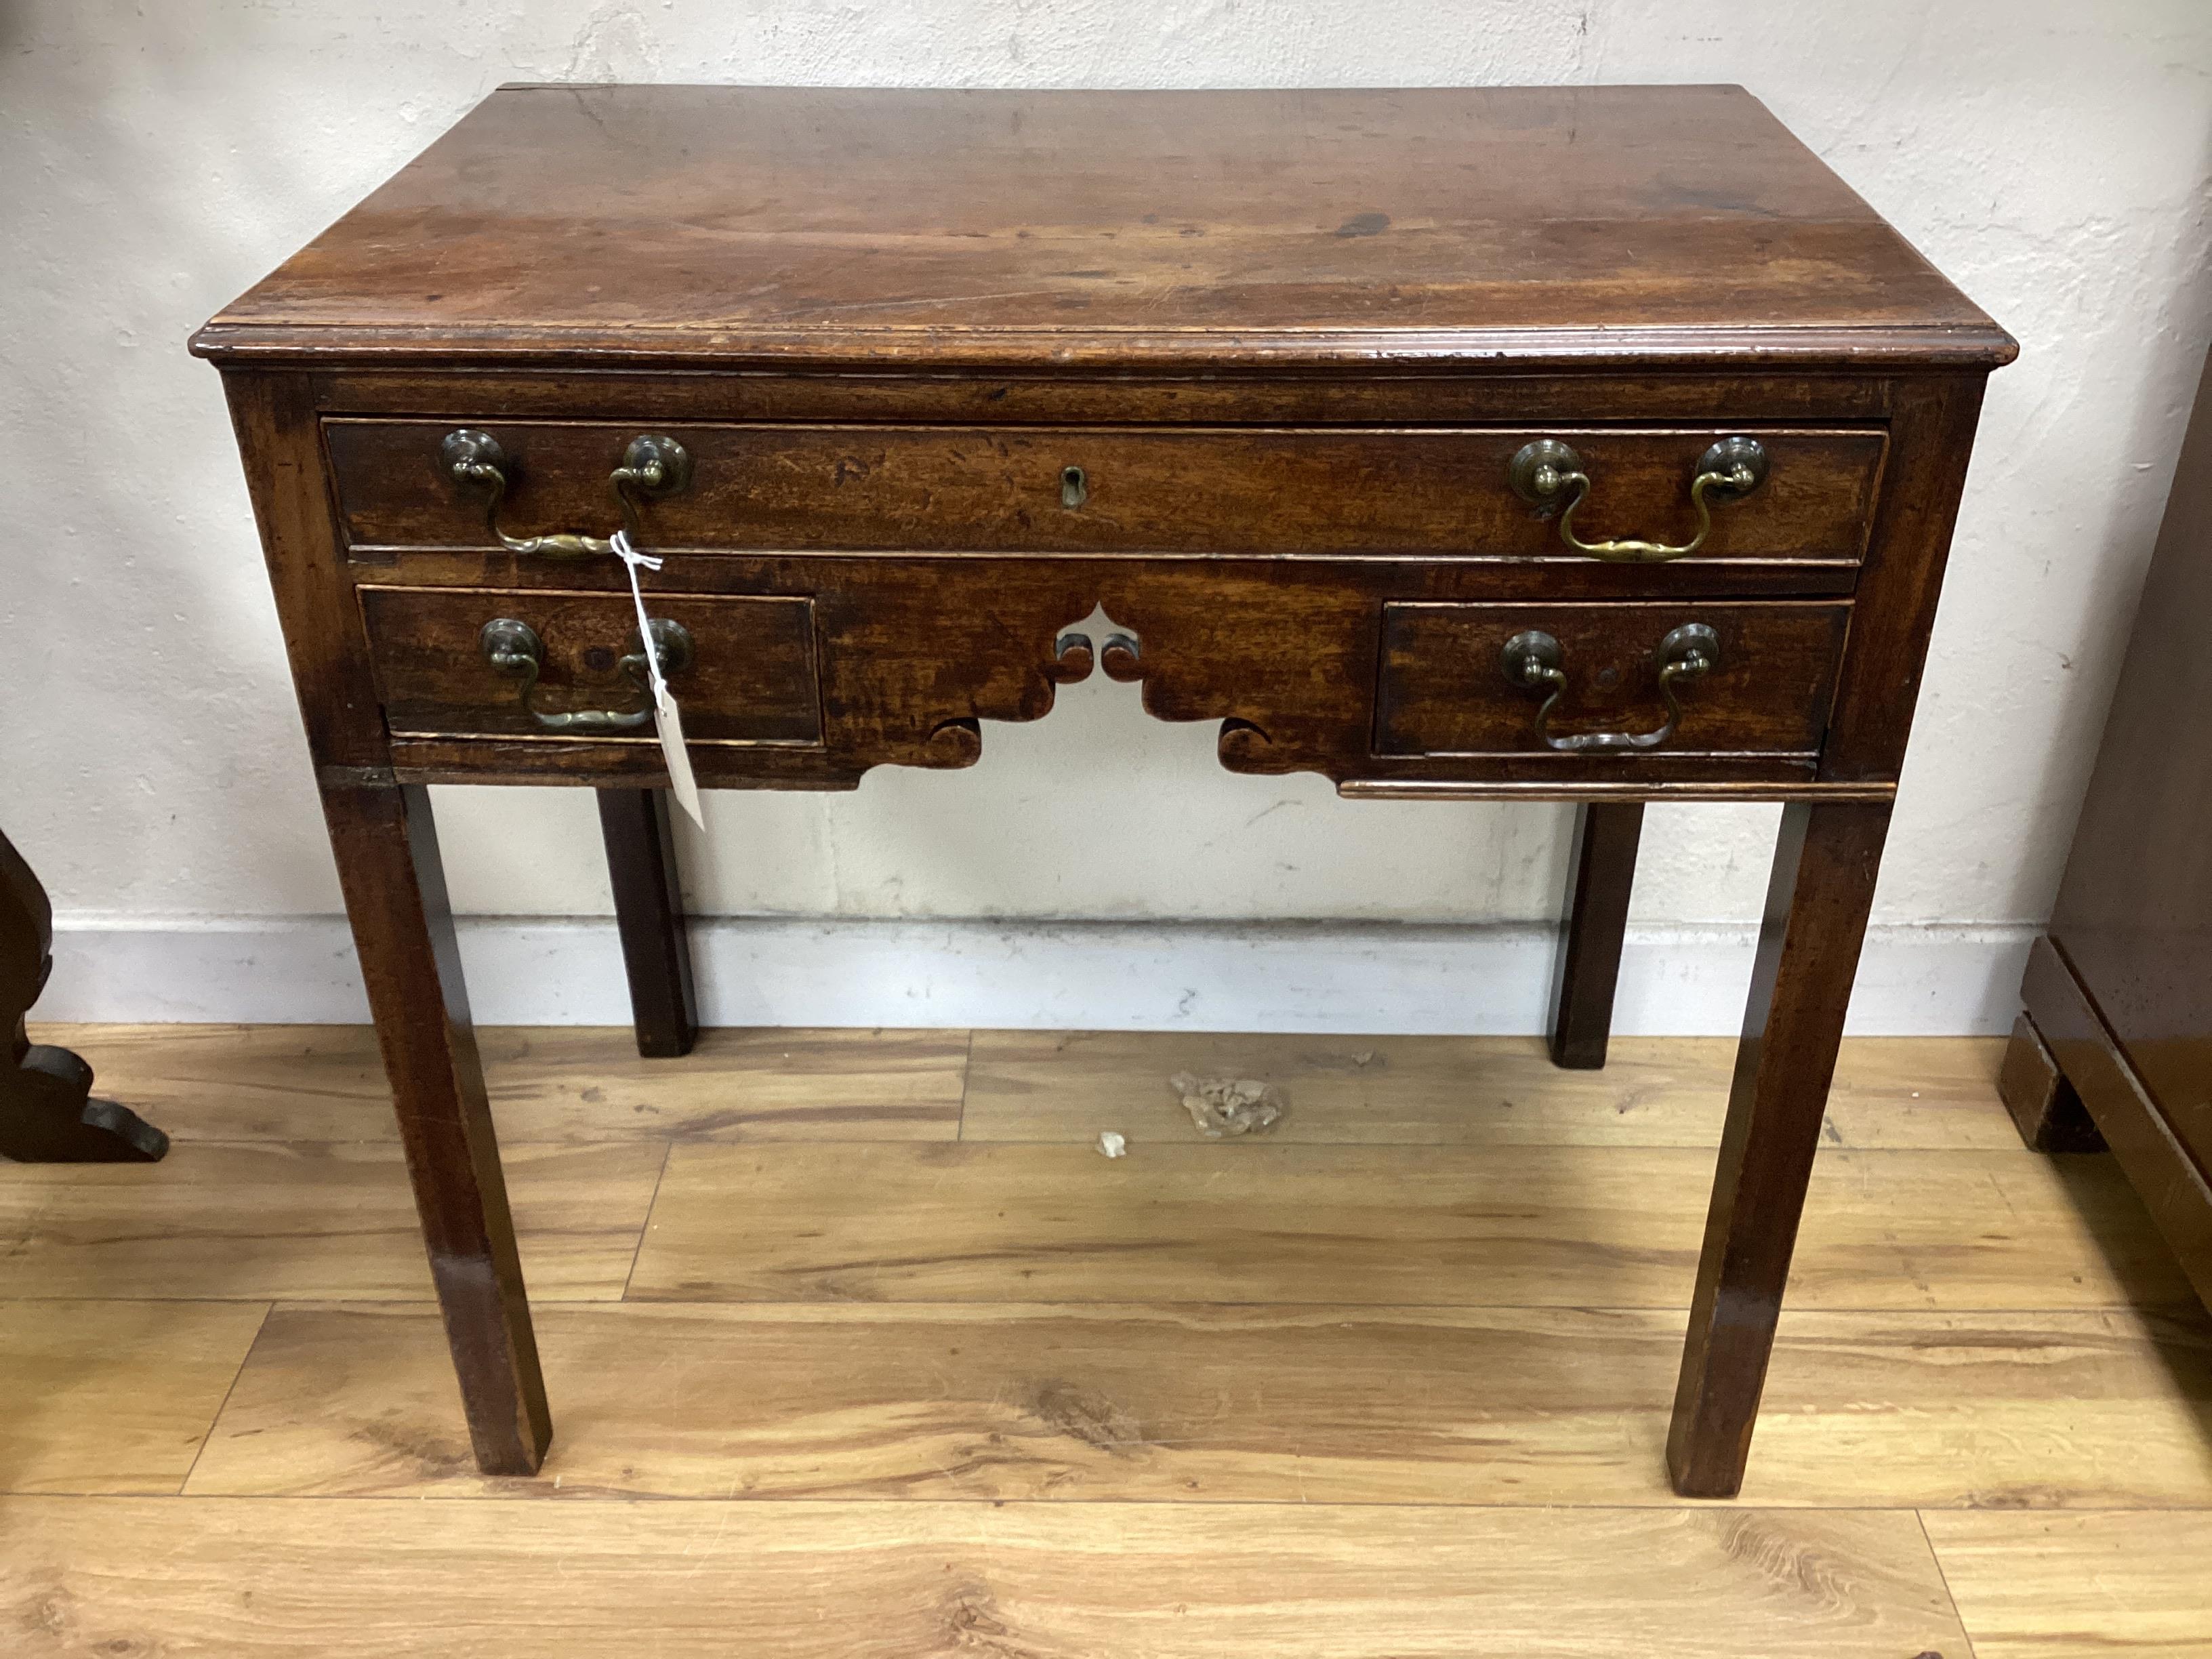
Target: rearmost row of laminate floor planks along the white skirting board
<point>791,1085</point>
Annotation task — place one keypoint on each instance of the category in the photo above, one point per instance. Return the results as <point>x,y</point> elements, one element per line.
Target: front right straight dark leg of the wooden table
<point>1802,983</point>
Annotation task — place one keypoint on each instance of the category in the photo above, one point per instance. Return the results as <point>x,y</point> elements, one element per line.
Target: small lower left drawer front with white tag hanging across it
<point>751,674</point>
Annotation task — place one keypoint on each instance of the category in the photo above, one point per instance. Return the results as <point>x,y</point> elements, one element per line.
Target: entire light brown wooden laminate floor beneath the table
<point>859,1348</point>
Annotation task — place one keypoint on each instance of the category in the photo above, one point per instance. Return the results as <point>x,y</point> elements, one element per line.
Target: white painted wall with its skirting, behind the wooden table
<point>158,158</point>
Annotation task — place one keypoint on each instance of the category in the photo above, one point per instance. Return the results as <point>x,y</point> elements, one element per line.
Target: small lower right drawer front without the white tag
<point>1446,682</point>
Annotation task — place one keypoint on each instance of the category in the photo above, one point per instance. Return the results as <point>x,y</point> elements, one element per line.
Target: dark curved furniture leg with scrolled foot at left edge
<point>48,1109</point>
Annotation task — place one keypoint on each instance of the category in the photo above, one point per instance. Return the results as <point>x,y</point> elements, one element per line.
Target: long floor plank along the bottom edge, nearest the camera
<point>267,1580</point>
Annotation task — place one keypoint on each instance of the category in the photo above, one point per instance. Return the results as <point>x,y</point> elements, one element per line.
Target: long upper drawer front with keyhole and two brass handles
<point>1180,490</point>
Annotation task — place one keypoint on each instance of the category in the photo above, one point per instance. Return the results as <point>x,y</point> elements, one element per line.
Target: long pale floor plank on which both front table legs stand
<point>1273,1406</point>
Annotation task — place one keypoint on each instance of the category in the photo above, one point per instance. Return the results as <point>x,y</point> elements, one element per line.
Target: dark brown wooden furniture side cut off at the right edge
<point>2116,1043</point>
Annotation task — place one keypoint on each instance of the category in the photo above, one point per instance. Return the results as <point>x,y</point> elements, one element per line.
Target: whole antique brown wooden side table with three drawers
<point>1249,371</point>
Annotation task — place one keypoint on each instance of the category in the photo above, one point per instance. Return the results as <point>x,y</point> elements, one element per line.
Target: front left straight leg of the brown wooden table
<point>404,928</point>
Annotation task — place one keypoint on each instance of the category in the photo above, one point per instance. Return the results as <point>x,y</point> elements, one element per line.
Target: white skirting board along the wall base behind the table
<point>1134,977</point>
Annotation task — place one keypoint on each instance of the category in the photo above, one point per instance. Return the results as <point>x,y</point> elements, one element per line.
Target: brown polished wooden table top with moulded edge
<point>1054,229</point>
